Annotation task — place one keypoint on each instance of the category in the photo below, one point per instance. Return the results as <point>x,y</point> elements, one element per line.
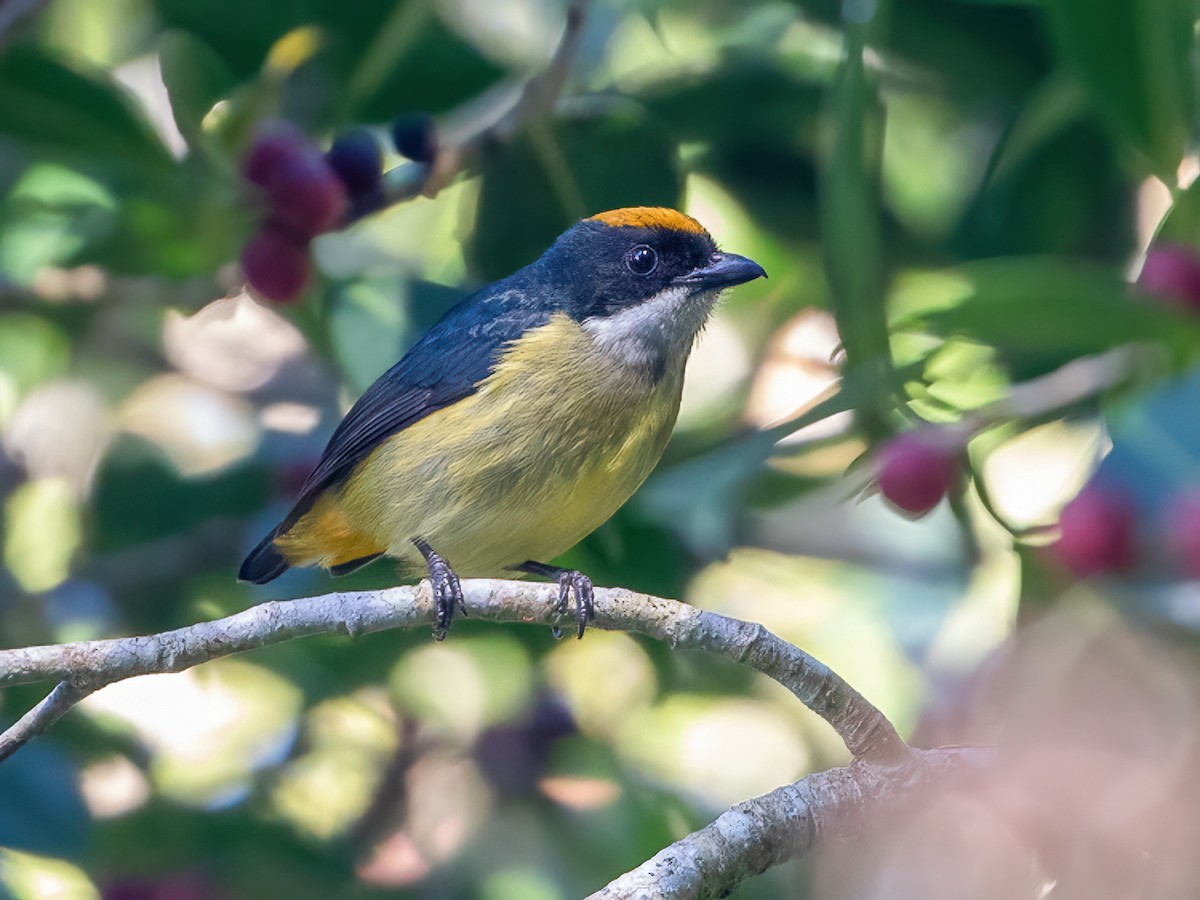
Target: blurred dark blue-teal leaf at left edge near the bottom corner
<point>41,809</point>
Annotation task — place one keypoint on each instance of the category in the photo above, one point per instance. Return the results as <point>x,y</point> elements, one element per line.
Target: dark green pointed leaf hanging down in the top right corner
<point>1136,61</point>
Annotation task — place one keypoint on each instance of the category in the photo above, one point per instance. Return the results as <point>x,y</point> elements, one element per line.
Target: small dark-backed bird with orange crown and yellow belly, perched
<point>520,422</point>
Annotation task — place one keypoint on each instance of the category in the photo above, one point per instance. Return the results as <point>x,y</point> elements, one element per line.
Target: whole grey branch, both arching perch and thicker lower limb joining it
<point>745,842</point>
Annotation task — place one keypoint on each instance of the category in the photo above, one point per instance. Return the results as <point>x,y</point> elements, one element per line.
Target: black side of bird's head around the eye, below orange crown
<point>601,269</point>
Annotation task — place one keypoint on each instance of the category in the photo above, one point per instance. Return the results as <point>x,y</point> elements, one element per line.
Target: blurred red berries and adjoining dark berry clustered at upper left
<point>308,194</point>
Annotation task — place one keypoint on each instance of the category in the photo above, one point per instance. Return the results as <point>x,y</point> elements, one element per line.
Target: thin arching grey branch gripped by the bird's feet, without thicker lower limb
<point>89,665</point>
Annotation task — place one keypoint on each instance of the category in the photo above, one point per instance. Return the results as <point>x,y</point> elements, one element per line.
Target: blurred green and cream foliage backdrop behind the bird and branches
<point>950,197</point>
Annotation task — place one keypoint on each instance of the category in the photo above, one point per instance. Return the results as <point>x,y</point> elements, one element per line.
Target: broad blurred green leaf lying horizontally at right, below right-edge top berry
<point>1043,313</point>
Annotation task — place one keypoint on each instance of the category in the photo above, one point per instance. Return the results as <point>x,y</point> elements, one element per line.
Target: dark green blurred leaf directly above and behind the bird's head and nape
<point>567,170</point>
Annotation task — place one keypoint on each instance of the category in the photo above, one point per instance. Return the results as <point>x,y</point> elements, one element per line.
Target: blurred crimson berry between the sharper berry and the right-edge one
<point>1096,532</point>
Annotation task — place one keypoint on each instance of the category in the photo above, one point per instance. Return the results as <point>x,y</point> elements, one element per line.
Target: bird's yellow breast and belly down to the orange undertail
<point>556,440</point>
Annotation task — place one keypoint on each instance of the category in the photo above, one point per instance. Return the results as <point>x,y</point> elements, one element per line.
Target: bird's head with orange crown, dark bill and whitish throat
<point>643,281</point>
